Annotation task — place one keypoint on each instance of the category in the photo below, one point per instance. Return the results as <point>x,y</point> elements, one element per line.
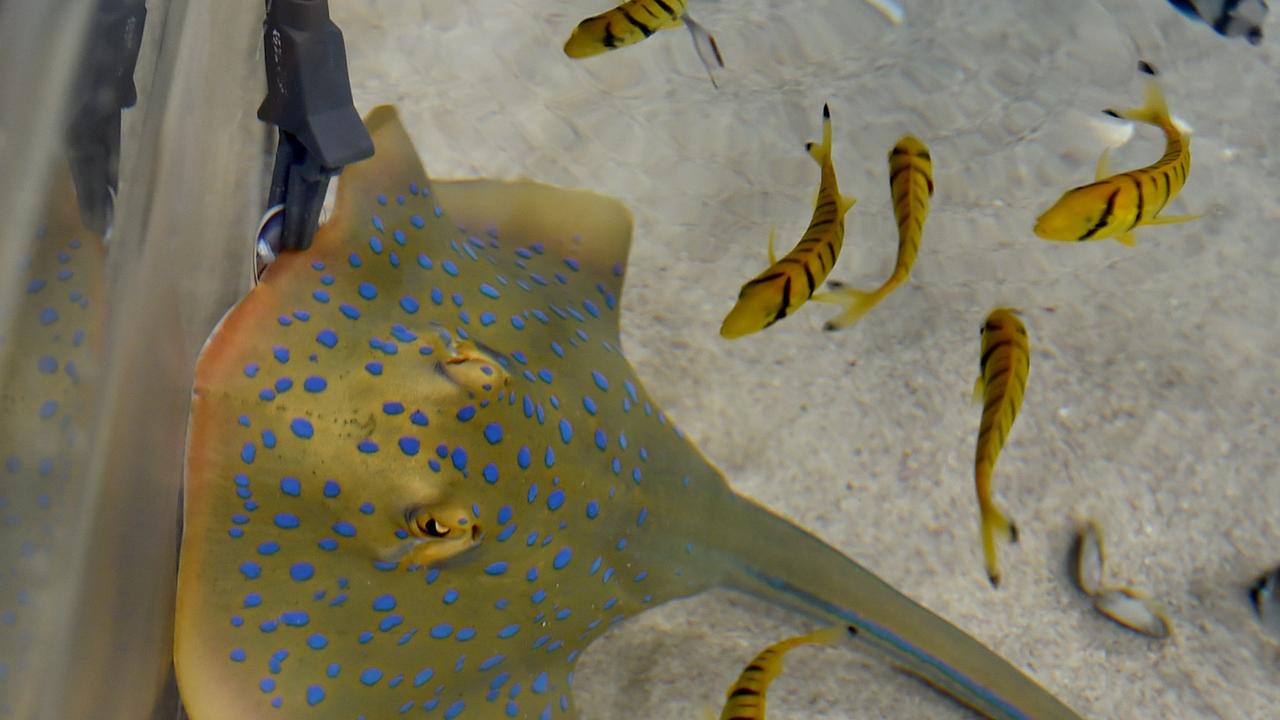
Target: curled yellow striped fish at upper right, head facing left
<point>1113,207</point>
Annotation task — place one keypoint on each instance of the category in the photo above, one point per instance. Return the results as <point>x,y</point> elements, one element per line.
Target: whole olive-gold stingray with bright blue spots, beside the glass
<point>422,476</point>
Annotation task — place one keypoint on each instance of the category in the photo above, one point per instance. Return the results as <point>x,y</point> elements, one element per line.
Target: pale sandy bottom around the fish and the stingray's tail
<point>1153,402</point>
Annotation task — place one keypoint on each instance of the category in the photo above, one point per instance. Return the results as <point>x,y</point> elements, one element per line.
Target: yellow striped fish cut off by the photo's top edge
<point>637,20</point>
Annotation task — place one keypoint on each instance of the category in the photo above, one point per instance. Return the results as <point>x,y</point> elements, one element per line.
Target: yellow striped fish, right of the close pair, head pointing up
<point>911,181</point>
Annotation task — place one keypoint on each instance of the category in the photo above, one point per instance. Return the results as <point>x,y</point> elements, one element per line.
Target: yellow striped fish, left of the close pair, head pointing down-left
<point>789,284</point>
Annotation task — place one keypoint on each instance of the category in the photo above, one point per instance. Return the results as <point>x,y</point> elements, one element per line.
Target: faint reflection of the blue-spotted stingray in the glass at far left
<point>52,345</point>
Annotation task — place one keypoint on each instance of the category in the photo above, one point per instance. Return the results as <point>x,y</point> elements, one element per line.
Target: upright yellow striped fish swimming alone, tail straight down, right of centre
<point>1002,380</point>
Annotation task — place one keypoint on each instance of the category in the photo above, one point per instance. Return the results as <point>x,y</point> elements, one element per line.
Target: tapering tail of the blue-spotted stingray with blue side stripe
<point>784,564</point>
